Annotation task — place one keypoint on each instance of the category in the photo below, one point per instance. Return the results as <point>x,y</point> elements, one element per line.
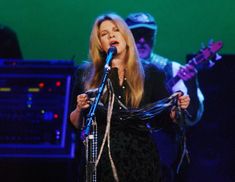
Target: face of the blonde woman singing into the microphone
<point>110,35</point>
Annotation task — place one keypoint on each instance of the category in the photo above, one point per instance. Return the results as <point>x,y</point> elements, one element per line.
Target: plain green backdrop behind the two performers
<point>59,29</point>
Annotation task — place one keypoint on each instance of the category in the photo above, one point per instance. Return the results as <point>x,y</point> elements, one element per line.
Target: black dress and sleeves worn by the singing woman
<point>132,147</point>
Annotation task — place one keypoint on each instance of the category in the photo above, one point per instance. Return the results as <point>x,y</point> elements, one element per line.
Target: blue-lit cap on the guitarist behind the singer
<point>140,20</point>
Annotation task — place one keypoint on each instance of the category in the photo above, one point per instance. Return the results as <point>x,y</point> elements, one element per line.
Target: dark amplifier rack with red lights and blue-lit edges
<point>34,109</point>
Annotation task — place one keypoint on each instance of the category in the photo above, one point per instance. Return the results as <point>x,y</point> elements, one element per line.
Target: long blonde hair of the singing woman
<point>134,70</point>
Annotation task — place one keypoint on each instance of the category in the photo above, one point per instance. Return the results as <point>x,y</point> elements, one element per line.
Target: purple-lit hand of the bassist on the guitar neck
<point>187,72</point>
